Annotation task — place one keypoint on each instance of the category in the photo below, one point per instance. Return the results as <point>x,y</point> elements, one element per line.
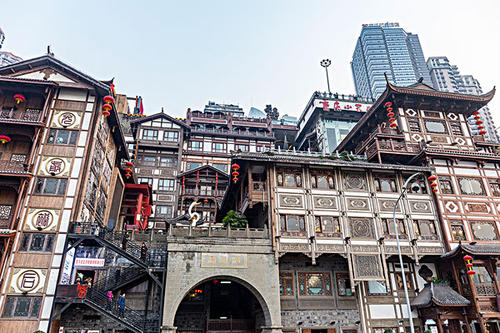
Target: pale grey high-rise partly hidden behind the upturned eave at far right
<point>446,77</point>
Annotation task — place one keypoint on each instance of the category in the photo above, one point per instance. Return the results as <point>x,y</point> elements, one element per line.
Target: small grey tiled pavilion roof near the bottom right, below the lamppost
<point>440,294</point>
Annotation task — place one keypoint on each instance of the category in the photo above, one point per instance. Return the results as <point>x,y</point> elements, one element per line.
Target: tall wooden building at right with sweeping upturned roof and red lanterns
<point>418,125</point>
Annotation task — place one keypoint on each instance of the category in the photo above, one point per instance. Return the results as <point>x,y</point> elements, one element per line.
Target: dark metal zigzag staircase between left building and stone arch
<point>143,266</point>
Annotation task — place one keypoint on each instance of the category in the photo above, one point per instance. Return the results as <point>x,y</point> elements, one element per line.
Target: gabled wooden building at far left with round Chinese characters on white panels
<point>62,173</point>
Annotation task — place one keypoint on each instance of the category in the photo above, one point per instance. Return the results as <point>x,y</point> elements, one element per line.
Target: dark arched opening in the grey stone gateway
<point>220,305</point>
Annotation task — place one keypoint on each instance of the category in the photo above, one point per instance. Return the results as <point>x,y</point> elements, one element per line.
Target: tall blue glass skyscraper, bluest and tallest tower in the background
<point>386,49</point>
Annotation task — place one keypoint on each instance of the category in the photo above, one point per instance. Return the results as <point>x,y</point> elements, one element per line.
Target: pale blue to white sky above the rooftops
<point>180,54</point>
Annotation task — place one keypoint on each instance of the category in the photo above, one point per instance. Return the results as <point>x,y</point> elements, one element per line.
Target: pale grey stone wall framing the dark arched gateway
<point>184,273</point>
